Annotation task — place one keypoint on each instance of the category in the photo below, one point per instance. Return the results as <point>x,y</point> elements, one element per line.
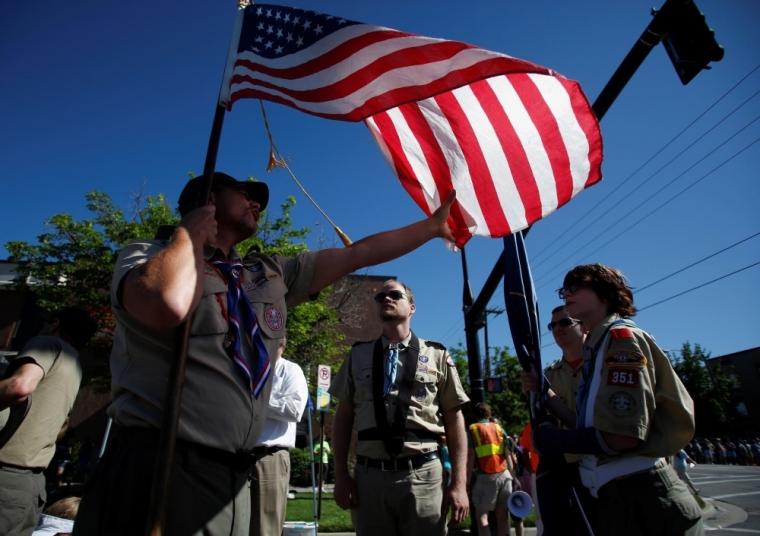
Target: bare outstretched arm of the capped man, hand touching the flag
<point>334,263</point>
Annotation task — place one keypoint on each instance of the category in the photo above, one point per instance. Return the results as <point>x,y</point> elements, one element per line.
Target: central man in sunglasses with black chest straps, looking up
<point>400,393</point>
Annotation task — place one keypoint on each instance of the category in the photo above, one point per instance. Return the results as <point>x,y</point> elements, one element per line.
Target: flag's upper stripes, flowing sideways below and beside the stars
<point>361,70</point>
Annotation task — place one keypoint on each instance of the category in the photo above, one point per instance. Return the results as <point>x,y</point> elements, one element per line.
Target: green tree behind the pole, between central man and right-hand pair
<point>510,406</point>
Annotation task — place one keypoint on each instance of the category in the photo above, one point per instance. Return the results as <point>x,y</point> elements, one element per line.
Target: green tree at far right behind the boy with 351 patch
<point>711,390</point>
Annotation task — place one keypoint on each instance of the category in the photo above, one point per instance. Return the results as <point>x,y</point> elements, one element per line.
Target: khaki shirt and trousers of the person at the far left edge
<point>30,449</point>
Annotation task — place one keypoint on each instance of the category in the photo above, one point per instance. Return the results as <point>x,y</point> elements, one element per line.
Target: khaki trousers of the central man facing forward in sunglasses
<point>399,503</point>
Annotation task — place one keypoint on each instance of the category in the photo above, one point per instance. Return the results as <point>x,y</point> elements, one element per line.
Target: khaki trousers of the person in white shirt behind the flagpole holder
<point>269,493</point>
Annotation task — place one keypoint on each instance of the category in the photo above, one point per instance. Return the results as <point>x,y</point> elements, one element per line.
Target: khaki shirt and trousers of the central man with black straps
<point>403,501</point>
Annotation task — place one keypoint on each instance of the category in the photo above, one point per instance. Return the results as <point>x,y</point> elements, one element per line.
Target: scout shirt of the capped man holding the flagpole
<point>218,408</point>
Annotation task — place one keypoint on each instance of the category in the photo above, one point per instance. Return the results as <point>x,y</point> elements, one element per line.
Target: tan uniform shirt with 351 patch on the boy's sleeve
<point>640,395</point>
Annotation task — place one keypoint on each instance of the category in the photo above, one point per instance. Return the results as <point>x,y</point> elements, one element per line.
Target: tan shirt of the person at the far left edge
<point>33,444</point>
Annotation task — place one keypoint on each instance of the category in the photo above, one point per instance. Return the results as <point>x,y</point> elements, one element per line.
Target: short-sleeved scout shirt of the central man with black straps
<point>436,389</point>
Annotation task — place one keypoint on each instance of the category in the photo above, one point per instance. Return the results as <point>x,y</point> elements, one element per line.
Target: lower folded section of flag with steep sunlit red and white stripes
<point>515,147</point>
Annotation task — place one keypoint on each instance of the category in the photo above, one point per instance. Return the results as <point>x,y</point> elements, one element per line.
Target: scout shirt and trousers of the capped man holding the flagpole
<point>219,414</point>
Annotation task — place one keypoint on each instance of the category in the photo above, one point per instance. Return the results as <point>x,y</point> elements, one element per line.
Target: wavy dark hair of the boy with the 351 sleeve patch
<point>609,285</point>
